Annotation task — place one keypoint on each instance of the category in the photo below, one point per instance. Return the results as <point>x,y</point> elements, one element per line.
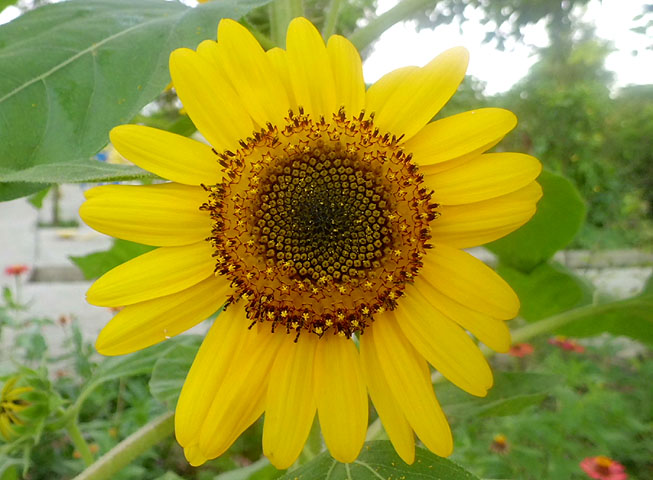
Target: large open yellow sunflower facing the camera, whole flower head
<point>329,221</point>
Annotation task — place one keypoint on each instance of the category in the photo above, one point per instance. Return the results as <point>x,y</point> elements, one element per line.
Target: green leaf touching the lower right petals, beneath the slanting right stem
<point>512,392</point>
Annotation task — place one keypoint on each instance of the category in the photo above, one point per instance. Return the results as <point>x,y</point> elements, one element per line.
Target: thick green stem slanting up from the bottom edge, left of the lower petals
<point>131,447</point>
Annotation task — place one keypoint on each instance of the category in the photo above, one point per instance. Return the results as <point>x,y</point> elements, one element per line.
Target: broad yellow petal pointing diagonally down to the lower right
<point>443,344</point>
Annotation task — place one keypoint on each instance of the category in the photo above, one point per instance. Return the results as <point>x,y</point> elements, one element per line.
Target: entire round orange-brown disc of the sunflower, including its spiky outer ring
<point>319,224</point>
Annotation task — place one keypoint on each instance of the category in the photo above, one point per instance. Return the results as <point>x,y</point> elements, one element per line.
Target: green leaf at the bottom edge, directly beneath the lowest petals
<point>378,460</point>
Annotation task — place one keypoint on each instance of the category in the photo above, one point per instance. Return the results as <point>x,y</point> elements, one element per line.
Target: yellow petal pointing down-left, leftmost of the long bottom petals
<point>207,373</point>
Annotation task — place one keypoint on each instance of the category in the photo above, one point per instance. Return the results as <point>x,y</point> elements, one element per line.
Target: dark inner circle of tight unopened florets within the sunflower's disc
<point>323,215</point>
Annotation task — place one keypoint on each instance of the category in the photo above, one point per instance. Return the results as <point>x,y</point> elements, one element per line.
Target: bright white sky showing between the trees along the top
<point>402,45</point>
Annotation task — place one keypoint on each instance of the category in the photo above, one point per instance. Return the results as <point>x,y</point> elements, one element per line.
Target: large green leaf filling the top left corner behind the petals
<point>73,70</point>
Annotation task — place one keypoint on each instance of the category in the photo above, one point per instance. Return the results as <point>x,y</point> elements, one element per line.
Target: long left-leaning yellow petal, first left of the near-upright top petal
<point>255,80</point>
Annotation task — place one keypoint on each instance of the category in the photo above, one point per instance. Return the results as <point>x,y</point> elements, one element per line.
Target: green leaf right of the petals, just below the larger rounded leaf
<point>548,289</point>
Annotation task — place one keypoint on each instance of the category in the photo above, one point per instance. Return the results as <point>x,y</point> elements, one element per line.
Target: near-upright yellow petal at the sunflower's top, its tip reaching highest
<point>310,70</point>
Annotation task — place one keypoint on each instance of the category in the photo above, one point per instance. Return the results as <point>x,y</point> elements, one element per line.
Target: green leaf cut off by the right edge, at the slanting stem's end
<point>632,317</point>
